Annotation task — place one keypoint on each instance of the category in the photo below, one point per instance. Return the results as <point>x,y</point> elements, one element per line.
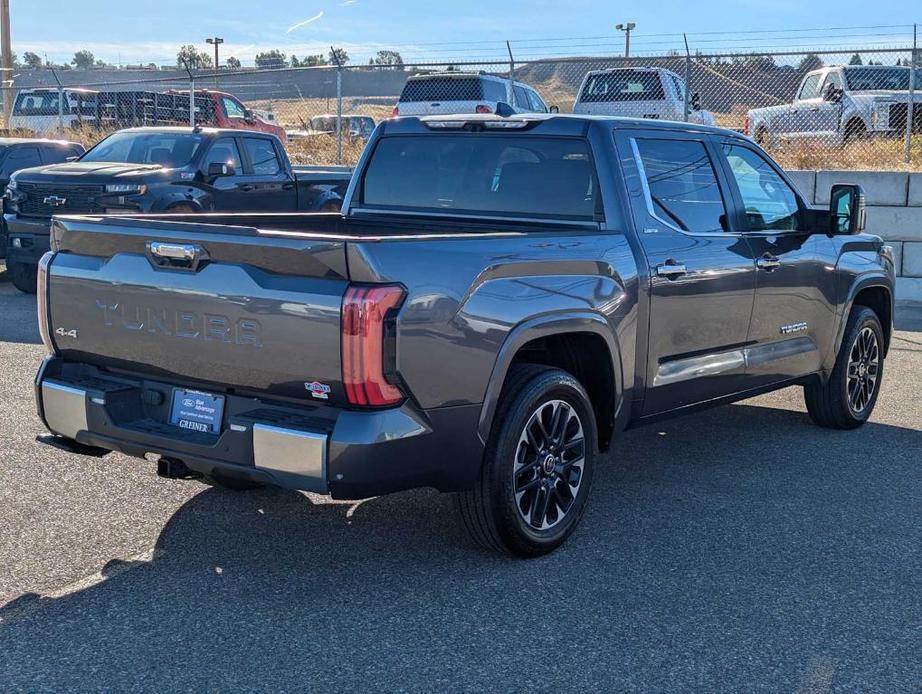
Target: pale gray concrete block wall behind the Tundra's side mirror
<point>894,201</point>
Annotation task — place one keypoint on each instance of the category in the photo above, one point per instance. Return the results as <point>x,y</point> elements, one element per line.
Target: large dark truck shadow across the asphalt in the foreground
<point>734,547</point>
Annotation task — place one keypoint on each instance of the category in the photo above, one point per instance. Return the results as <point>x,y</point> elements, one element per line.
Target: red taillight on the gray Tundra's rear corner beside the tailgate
<point>364,312</point>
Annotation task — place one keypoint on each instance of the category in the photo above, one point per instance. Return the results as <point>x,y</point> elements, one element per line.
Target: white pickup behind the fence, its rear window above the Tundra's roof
<point>639,92</point>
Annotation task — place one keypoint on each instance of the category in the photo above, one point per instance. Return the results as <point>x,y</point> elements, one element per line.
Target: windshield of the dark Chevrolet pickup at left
<point>170,150</point>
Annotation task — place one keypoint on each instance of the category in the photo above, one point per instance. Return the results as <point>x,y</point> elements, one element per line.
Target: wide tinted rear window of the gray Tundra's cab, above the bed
<point>483,174</point>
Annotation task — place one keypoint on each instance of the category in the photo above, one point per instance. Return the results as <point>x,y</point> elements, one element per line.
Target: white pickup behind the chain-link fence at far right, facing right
<point>842,104</point>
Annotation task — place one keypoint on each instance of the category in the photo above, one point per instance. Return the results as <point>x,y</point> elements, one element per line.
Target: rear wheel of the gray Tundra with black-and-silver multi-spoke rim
<point>538,465</point>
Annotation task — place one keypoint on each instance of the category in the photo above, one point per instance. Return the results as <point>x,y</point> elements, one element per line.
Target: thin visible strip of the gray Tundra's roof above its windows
<point>566,123</point>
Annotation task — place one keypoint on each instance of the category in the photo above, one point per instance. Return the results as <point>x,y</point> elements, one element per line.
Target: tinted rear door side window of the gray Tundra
<point>681,185</point>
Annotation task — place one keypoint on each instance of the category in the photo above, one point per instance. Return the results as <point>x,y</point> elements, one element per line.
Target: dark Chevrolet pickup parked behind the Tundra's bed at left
<point>162,170</point>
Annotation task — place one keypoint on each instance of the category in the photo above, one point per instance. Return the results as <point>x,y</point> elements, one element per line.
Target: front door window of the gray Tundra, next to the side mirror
<point>770,203</point>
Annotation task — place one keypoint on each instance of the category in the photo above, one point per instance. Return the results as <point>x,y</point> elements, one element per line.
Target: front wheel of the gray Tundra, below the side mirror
<point>847,399</point>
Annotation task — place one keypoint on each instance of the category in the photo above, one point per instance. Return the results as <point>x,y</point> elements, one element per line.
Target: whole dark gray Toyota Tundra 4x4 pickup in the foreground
<point>499,298</point>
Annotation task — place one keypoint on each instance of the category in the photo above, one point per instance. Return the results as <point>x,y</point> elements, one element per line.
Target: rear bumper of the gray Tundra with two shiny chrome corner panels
<point>347,454</point>
